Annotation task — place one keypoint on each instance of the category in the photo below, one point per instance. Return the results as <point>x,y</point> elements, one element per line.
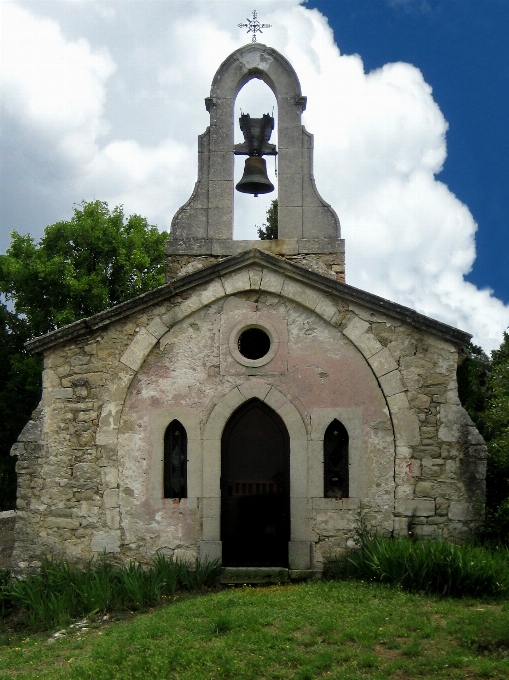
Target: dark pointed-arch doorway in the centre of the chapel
<point>255,488</point>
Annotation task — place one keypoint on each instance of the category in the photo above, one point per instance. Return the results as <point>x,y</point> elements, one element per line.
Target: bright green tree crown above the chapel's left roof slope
<point>94,261</point>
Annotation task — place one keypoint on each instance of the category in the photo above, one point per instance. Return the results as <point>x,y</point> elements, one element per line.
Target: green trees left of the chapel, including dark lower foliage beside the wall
<point>95,260</point>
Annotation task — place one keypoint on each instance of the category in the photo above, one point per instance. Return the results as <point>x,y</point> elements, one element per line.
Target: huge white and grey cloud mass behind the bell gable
<point>108,104</point>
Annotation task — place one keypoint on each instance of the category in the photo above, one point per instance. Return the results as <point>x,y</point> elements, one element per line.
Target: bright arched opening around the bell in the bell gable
<point>255,98</point>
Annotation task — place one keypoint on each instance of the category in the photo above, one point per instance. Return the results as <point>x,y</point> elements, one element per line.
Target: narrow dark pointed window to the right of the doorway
<point>335,461</point>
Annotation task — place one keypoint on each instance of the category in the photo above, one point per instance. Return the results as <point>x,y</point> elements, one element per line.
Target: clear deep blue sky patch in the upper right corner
<point>462,49</point>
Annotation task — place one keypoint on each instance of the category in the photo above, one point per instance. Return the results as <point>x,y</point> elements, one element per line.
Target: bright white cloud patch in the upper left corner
<point>50,84</point>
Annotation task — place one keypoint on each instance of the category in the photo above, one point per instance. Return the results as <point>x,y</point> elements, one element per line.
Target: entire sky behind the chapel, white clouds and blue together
<point>104,99</point>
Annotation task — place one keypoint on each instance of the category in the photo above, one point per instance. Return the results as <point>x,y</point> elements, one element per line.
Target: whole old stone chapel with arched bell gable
<point>248,407</point>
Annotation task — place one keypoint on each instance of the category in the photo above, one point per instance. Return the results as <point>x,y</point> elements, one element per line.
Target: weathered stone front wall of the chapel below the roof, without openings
<point>88,461</point>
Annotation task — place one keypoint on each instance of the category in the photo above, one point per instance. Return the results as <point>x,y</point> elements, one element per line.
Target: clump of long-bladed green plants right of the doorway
<point>427,566</point>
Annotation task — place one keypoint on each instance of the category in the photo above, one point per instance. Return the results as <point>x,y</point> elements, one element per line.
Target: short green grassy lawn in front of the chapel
<point>314,630</point>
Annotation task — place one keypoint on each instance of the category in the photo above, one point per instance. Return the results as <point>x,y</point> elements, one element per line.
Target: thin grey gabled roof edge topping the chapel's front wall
<point>232,264</point>
